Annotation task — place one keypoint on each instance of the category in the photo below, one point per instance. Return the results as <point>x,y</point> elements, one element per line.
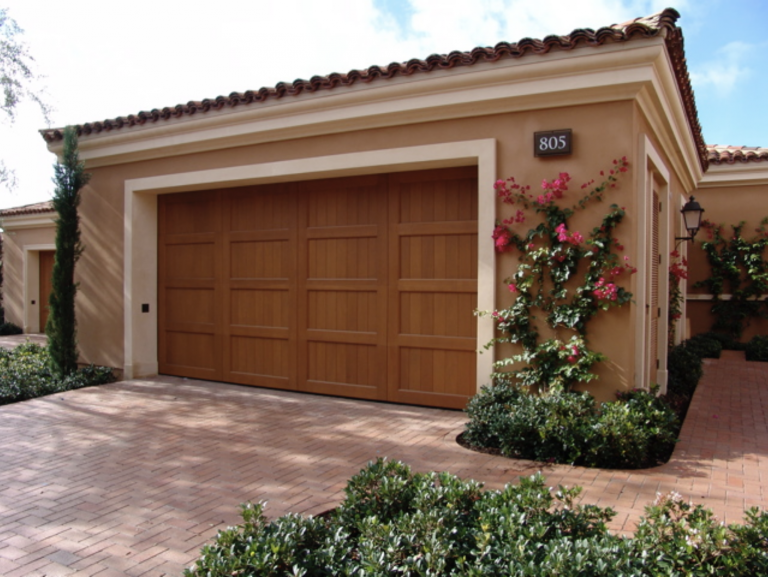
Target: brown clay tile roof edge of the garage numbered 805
<point>660,24</point>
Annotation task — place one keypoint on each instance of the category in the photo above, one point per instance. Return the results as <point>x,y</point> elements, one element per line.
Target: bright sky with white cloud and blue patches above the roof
<point>100,61</point>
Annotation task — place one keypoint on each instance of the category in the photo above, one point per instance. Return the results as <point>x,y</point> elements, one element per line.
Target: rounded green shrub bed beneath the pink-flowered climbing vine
<point>638,430</point>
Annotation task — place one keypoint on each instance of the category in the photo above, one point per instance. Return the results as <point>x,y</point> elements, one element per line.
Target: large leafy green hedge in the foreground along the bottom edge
<point>395,523</point>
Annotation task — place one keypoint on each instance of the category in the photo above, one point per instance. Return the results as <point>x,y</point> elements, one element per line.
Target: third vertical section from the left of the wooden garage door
<point>343,287</point>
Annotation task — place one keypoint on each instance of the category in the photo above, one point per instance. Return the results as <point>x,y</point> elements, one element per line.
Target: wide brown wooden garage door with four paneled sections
<point>363,287</point>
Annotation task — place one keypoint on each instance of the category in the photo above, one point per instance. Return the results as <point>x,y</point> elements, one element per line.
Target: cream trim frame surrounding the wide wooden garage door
<point>141,227</point>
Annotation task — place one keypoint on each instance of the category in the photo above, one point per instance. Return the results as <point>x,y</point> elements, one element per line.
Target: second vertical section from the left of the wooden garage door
<point>258,301</point>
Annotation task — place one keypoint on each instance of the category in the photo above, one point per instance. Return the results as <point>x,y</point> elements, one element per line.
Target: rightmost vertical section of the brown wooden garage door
<point>433,287</point>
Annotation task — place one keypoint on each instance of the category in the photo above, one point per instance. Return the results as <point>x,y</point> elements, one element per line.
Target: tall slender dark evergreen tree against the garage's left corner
<point>62,327</point>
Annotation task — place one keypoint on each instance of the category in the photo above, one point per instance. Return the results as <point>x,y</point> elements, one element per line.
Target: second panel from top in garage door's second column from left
<point>260,259</point>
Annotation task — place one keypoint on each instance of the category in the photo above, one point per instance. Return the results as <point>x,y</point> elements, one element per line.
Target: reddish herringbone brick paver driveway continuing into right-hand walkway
<point>132,478</point>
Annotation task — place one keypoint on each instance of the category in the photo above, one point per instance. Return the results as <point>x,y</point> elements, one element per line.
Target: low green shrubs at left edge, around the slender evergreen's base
<point>25,373</point>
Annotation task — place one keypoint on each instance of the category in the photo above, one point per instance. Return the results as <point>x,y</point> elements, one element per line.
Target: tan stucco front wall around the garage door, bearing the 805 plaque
<point>601,132</point>
